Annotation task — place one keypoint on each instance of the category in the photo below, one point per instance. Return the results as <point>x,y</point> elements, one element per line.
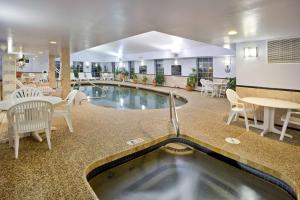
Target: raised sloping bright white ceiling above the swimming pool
<point>150,45</point>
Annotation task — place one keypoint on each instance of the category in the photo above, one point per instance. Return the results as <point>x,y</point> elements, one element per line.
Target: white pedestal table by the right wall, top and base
<point>270,105</point>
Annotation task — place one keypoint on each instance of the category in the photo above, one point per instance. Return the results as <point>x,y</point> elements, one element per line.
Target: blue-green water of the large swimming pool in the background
<point>127,97</point>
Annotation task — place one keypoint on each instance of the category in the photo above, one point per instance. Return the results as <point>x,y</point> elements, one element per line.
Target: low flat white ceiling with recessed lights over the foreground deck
<point>86,24</point>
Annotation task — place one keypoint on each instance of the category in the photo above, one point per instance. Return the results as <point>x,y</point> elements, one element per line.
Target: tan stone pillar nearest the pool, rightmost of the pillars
<point>65,71</point>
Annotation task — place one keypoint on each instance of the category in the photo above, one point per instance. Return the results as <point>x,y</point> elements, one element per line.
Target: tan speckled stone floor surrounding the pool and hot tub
<point>100,135</point>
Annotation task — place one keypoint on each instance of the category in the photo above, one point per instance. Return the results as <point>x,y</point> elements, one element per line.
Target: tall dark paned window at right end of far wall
<point>205,68</point>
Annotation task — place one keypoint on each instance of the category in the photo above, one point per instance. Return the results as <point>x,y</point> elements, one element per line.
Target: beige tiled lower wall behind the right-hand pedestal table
<point>269,93</point>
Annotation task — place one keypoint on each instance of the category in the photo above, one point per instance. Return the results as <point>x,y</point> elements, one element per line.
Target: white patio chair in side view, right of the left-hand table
<point>65,110</point>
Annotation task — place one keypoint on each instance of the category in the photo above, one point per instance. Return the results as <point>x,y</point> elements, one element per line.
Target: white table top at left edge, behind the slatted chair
<point>6,104</point>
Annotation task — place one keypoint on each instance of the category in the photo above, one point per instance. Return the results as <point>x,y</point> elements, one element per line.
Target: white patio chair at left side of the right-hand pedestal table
<point>237,108</point>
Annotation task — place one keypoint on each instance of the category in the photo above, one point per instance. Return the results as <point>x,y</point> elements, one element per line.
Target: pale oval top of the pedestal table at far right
<point>272,103</point>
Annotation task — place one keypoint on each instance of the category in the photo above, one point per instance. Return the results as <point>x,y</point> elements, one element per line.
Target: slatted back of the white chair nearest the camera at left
<point>30,116</point>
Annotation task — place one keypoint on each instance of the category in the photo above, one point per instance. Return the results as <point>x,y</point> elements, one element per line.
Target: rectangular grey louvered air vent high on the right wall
<point>284,51</point>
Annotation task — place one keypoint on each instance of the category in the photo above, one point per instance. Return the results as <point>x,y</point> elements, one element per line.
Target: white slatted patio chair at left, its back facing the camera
<point>30,116</point>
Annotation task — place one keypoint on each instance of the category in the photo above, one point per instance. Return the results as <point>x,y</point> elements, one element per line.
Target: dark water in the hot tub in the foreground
<point>159,175</point>
